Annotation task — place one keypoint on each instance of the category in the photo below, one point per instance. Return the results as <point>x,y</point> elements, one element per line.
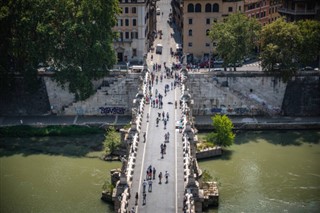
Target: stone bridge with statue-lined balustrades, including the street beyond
<point>161,93</point>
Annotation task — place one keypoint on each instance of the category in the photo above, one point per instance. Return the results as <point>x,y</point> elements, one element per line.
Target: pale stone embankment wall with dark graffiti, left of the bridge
<point>114,95</point>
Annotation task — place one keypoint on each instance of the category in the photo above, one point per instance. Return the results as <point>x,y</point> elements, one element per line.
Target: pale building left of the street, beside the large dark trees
<point>136,25</point>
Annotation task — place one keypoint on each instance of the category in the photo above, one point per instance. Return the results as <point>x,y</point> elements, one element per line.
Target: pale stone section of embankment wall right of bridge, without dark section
<point>236,95</point>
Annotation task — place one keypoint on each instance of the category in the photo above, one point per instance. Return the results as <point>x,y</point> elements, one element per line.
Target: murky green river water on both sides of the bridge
<point>263,172</point>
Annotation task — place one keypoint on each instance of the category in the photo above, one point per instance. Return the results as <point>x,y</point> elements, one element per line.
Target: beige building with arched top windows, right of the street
<point>198,16</point>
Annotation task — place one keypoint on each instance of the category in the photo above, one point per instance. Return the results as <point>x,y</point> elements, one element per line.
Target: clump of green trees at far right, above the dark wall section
<point>286,46</point>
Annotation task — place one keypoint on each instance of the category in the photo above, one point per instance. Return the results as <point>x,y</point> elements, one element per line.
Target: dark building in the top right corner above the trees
<point>295,10</point>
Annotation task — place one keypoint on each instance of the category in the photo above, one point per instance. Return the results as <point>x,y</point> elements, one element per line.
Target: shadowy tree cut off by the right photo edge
<point>309,50</point>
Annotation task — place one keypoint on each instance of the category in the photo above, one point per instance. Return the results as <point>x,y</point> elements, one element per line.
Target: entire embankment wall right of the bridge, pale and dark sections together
<point>254,93</point>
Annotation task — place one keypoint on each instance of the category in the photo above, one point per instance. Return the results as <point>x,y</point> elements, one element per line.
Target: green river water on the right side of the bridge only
<point>269,172</point>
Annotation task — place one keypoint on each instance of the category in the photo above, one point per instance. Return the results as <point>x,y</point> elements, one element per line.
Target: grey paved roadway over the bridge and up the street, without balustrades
<point>165,197</point>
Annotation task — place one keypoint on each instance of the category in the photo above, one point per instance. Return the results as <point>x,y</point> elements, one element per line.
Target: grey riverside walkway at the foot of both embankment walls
<point>201,122</point>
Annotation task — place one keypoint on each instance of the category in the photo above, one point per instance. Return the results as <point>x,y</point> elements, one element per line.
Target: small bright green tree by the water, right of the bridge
<point>223,135</point>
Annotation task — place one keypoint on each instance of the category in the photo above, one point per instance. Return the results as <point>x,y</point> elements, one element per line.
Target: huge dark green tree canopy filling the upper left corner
<point>72,37</point>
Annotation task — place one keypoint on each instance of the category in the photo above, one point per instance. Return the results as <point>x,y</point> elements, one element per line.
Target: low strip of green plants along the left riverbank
<point>29,131</point>
